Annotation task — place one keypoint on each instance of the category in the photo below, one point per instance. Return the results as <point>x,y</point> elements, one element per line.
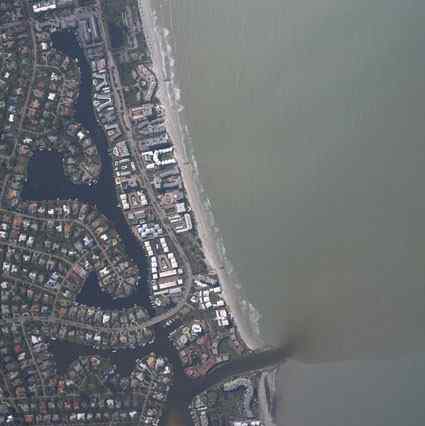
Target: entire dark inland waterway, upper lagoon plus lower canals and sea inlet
<point>46,180</point>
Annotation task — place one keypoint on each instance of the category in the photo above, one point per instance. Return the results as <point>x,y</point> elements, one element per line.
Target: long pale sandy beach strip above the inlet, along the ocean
<point>207,233</point>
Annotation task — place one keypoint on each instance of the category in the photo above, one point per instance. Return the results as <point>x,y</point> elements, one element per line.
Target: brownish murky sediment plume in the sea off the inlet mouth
<point>335,311</point>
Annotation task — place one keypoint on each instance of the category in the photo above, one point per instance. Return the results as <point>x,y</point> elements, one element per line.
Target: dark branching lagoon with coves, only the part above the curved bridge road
<point>47,181</point>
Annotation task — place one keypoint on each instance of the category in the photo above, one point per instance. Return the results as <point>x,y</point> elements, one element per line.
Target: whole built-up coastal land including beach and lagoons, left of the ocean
<point>115,306</point>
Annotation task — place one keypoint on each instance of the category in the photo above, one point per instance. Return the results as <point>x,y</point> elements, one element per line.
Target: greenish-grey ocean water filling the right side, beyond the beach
<point>307,119</point>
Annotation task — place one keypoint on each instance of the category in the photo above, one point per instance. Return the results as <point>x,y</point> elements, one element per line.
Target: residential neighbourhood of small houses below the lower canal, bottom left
<point>33,392</point>
